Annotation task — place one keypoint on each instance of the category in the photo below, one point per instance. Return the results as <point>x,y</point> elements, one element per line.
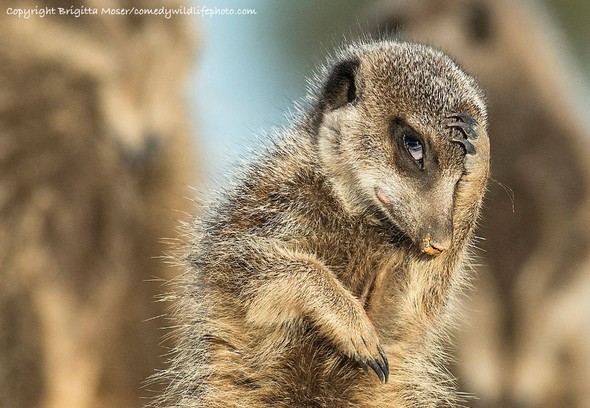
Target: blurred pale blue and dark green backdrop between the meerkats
<point>248,76</point>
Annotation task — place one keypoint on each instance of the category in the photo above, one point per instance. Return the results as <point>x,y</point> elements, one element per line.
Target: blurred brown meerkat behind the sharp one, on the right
<point>528,342</point>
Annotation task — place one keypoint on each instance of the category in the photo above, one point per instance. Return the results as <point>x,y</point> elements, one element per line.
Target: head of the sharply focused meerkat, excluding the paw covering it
<point>382,135</point>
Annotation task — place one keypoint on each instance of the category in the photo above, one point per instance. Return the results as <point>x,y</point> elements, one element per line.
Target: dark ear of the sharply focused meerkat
<point>340,89</point>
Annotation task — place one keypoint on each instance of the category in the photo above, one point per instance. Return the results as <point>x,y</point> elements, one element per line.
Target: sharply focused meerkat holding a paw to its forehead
<point>326,275</point>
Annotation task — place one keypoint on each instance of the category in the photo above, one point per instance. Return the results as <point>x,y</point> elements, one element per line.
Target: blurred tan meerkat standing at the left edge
<point>94,159</point>
